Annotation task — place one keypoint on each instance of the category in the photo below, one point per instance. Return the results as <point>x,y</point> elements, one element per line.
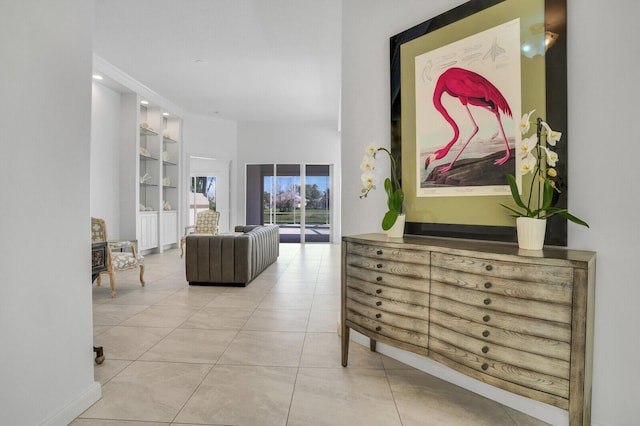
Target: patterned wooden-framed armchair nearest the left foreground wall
<point>116,260</point>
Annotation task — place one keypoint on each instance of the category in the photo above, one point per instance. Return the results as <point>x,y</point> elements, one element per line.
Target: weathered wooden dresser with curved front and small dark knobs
<point>518,320</point>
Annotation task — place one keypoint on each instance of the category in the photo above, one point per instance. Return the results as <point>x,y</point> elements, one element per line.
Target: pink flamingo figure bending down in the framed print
<point>471,89</point>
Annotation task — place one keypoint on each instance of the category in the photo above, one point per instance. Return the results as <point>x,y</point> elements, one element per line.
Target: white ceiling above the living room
<point>241,60</point>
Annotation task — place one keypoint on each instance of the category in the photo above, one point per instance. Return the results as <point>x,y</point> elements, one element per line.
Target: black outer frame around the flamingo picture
<point>555,68</point>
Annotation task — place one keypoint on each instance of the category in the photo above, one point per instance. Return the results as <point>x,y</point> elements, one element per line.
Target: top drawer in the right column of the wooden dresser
<point>506,270</point>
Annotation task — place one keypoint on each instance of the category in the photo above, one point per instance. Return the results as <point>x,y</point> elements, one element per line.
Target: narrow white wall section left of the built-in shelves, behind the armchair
<point>105,157</point>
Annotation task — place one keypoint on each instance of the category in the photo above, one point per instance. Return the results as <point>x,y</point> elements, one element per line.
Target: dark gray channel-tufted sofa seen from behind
<point>231,258</point>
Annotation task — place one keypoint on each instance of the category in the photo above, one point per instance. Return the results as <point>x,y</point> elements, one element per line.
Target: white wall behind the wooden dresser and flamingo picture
<point>603,94</point>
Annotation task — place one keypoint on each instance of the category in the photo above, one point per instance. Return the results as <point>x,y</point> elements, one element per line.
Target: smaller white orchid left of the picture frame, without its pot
<point>395,196</point>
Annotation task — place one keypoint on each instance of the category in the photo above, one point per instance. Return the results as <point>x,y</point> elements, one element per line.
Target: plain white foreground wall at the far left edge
<point>46,361</point>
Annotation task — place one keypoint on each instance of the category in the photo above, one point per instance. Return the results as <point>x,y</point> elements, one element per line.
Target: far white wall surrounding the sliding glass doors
<point>289,143</point>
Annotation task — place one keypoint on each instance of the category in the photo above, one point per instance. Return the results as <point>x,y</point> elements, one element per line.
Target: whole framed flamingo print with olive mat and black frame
<point>459,84</point>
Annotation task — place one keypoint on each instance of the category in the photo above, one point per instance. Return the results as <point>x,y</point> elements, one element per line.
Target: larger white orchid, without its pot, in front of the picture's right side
<point>539,160</point>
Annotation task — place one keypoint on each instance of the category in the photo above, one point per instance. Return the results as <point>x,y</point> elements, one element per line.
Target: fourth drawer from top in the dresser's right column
<point>508,322</point>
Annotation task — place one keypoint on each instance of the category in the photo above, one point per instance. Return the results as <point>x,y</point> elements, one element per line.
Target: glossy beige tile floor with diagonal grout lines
<point>267,354</point>
